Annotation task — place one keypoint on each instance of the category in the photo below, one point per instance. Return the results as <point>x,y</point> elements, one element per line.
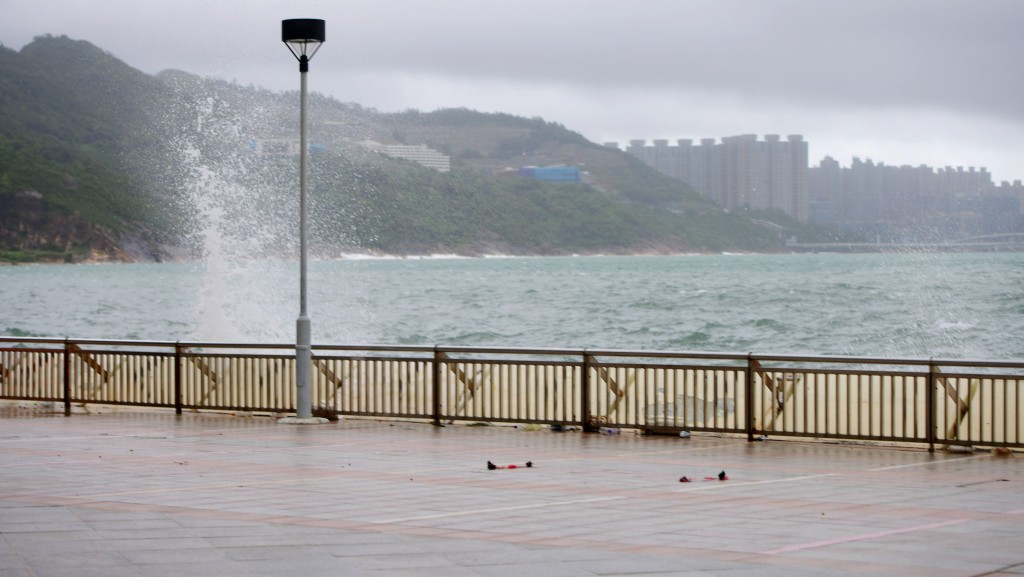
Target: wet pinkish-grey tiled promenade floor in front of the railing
<point>154,494</point>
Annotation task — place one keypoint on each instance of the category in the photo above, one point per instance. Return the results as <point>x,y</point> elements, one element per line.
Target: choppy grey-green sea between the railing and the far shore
<point>915,305</point>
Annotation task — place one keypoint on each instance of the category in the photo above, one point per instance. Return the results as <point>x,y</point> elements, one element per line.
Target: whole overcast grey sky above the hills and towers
<point>934,83</point>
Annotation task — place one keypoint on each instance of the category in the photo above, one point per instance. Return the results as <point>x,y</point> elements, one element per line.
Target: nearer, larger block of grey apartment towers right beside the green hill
<point>741,172</point>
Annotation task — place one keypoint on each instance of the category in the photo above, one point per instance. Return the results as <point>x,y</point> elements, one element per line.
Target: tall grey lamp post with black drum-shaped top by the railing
<point>304,37</point>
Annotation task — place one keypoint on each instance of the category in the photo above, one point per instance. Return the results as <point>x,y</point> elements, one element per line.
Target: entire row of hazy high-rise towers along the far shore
<point>901,202</point>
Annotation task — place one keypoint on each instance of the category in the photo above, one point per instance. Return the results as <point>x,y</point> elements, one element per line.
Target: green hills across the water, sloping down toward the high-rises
<point>100,161</point>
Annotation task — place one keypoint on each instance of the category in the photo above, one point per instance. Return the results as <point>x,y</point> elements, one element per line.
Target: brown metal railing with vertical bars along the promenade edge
<point>917,401</point>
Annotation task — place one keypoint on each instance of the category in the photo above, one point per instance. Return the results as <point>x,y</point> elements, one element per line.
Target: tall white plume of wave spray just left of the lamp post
<point>239,207</point>
